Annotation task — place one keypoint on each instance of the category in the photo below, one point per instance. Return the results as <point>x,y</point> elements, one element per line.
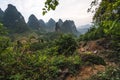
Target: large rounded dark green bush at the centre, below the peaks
<point>66,44</point>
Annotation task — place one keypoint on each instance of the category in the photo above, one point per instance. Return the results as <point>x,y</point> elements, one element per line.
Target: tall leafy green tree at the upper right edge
<point>108,15</point>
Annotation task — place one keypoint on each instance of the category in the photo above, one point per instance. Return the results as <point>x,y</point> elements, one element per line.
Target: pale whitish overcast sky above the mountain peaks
<point>68,9</point>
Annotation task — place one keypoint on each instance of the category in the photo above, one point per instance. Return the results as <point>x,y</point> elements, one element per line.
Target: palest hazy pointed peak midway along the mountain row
<point>50,25</point>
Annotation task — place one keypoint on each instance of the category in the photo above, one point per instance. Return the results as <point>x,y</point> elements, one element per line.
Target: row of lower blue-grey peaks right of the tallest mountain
<point>67,26</point>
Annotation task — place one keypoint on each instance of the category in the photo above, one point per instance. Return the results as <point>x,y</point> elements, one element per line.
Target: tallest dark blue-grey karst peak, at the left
<point>14,21</point>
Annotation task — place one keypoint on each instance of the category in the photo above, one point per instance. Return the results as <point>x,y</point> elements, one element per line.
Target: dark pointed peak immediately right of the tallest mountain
<point>33,23</point>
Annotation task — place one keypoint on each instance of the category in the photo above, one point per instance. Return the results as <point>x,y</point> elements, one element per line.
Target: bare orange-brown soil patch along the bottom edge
<point>87,72</point>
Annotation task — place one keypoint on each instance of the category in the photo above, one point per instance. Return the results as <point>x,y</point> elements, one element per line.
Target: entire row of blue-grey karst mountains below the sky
<point>15,23</point>
